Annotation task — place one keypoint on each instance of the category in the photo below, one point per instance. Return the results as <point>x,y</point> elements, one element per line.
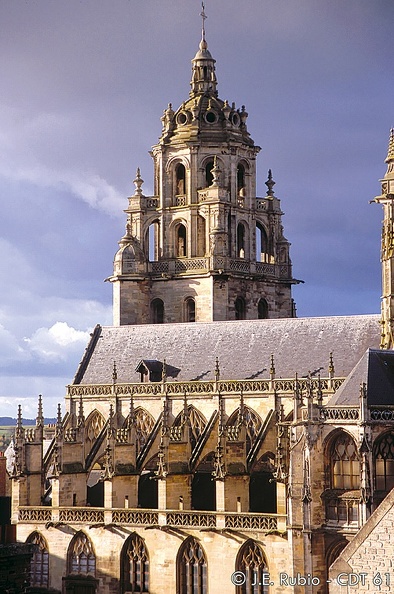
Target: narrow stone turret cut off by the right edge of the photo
<point>387,249</point>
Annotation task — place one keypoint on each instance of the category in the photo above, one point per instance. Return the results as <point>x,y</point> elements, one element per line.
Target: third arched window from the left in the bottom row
<point>134,565</point>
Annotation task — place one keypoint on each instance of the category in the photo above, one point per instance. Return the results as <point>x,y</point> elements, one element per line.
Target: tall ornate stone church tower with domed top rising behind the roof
<point>204,247</point>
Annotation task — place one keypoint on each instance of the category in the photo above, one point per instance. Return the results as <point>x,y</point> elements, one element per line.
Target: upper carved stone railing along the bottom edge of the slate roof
<point>255,387</point>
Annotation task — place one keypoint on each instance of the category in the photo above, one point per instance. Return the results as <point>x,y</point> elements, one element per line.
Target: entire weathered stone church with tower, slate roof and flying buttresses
<point>238,454</point>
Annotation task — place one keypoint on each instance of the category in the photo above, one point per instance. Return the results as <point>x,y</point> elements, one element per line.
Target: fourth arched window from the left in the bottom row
<point>191,568</point>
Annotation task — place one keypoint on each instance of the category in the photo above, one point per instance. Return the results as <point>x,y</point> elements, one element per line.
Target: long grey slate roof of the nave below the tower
<point>243,348</point>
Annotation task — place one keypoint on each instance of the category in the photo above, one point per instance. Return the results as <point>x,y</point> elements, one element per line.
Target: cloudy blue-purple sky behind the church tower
<point>84,84</point>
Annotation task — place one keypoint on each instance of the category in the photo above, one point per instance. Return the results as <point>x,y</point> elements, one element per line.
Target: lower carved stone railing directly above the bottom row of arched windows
<point>147,517</point>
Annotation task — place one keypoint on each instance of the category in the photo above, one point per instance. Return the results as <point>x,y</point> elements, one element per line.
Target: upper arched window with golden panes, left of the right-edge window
<point>345,465</point>
